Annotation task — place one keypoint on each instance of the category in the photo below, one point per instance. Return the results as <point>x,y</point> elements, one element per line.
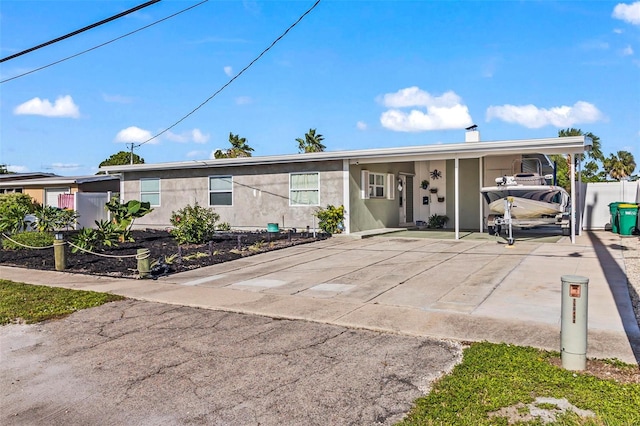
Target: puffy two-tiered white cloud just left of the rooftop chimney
<point>442,112</point>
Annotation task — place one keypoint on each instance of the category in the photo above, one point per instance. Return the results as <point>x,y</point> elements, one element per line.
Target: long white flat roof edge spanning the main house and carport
<point>547,146</point>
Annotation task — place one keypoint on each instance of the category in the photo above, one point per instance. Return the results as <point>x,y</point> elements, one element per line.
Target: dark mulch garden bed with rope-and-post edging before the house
<point>168,256</point>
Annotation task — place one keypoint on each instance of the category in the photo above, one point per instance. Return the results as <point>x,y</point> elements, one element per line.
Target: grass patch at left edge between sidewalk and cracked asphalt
<point>26,303</point>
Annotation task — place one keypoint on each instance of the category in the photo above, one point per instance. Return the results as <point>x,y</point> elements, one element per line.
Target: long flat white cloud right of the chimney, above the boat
<point>532,117</point>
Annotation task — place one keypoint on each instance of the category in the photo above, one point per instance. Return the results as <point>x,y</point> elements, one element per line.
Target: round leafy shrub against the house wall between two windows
<point>194,224</point>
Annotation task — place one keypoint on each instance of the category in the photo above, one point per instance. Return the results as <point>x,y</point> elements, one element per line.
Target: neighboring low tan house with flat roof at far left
<point>48,190</point>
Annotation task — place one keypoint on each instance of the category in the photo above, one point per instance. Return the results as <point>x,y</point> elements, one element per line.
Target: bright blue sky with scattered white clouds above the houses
<point>365,74</point>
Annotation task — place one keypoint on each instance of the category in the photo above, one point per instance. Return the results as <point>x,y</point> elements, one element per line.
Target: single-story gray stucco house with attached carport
<point>380,188</point>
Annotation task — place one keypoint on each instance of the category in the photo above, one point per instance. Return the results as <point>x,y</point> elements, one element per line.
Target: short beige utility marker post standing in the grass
<point>573,322</point>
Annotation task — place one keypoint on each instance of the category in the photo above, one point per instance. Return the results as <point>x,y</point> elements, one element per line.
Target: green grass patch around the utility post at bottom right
<point>494,376</point>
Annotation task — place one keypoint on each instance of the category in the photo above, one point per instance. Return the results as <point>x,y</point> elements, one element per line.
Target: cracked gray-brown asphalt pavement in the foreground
<point>143,363</point>
